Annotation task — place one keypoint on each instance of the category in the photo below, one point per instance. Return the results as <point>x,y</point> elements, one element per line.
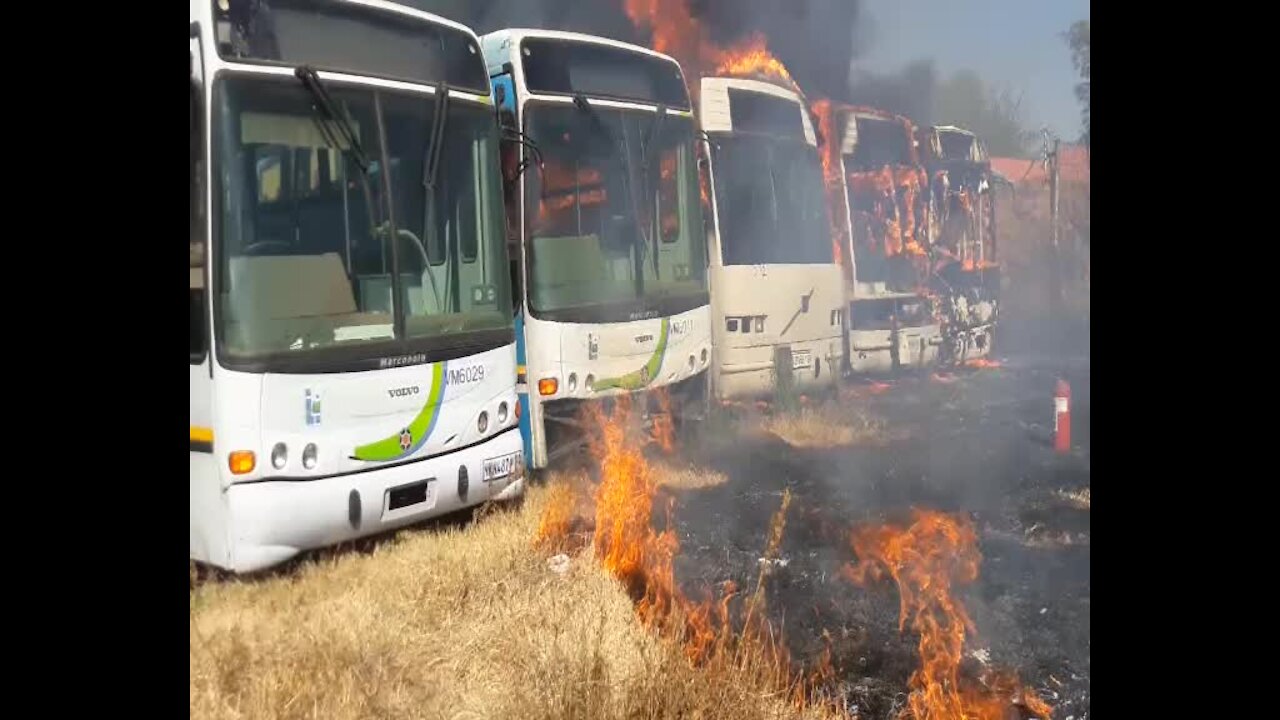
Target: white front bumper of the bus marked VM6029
<point>273,521</point>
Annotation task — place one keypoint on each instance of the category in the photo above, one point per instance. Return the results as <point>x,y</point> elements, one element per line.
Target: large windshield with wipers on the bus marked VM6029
<point>305,245</point>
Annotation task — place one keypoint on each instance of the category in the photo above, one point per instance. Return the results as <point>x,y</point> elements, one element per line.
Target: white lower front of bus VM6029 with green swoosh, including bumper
<point>262,518</point>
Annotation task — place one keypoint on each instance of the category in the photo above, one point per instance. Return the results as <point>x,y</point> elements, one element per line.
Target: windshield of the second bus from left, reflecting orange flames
<point>614,217</point>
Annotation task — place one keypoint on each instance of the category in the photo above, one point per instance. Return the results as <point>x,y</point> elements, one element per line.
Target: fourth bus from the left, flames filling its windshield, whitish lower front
<point>880,192</point>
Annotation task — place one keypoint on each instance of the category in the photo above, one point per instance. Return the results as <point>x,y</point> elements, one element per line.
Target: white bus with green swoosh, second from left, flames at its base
<point>607,235</point>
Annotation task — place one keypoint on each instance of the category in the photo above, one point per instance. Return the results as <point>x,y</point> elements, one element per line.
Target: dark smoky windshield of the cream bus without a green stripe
<point>771,200</point>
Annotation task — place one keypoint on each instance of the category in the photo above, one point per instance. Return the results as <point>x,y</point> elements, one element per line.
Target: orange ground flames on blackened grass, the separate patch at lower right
<point>927,559</point>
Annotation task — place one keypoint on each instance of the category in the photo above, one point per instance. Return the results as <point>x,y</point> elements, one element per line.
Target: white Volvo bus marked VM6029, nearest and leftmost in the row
<point>353,352</point>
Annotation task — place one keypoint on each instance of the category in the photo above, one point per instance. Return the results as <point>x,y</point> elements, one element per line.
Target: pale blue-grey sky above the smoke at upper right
<point>1012,44</point>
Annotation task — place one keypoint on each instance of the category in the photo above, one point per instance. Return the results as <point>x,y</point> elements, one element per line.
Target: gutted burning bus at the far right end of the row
<point>966,274</point>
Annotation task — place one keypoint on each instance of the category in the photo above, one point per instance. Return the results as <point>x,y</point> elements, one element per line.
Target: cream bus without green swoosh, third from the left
<point>778,293</point>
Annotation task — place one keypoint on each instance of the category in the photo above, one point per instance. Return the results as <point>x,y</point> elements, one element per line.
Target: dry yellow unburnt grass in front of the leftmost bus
<point>449,623</point>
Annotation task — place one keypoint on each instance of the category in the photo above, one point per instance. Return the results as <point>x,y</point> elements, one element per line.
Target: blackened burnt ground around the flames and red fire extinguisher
<point>980,445</point>
